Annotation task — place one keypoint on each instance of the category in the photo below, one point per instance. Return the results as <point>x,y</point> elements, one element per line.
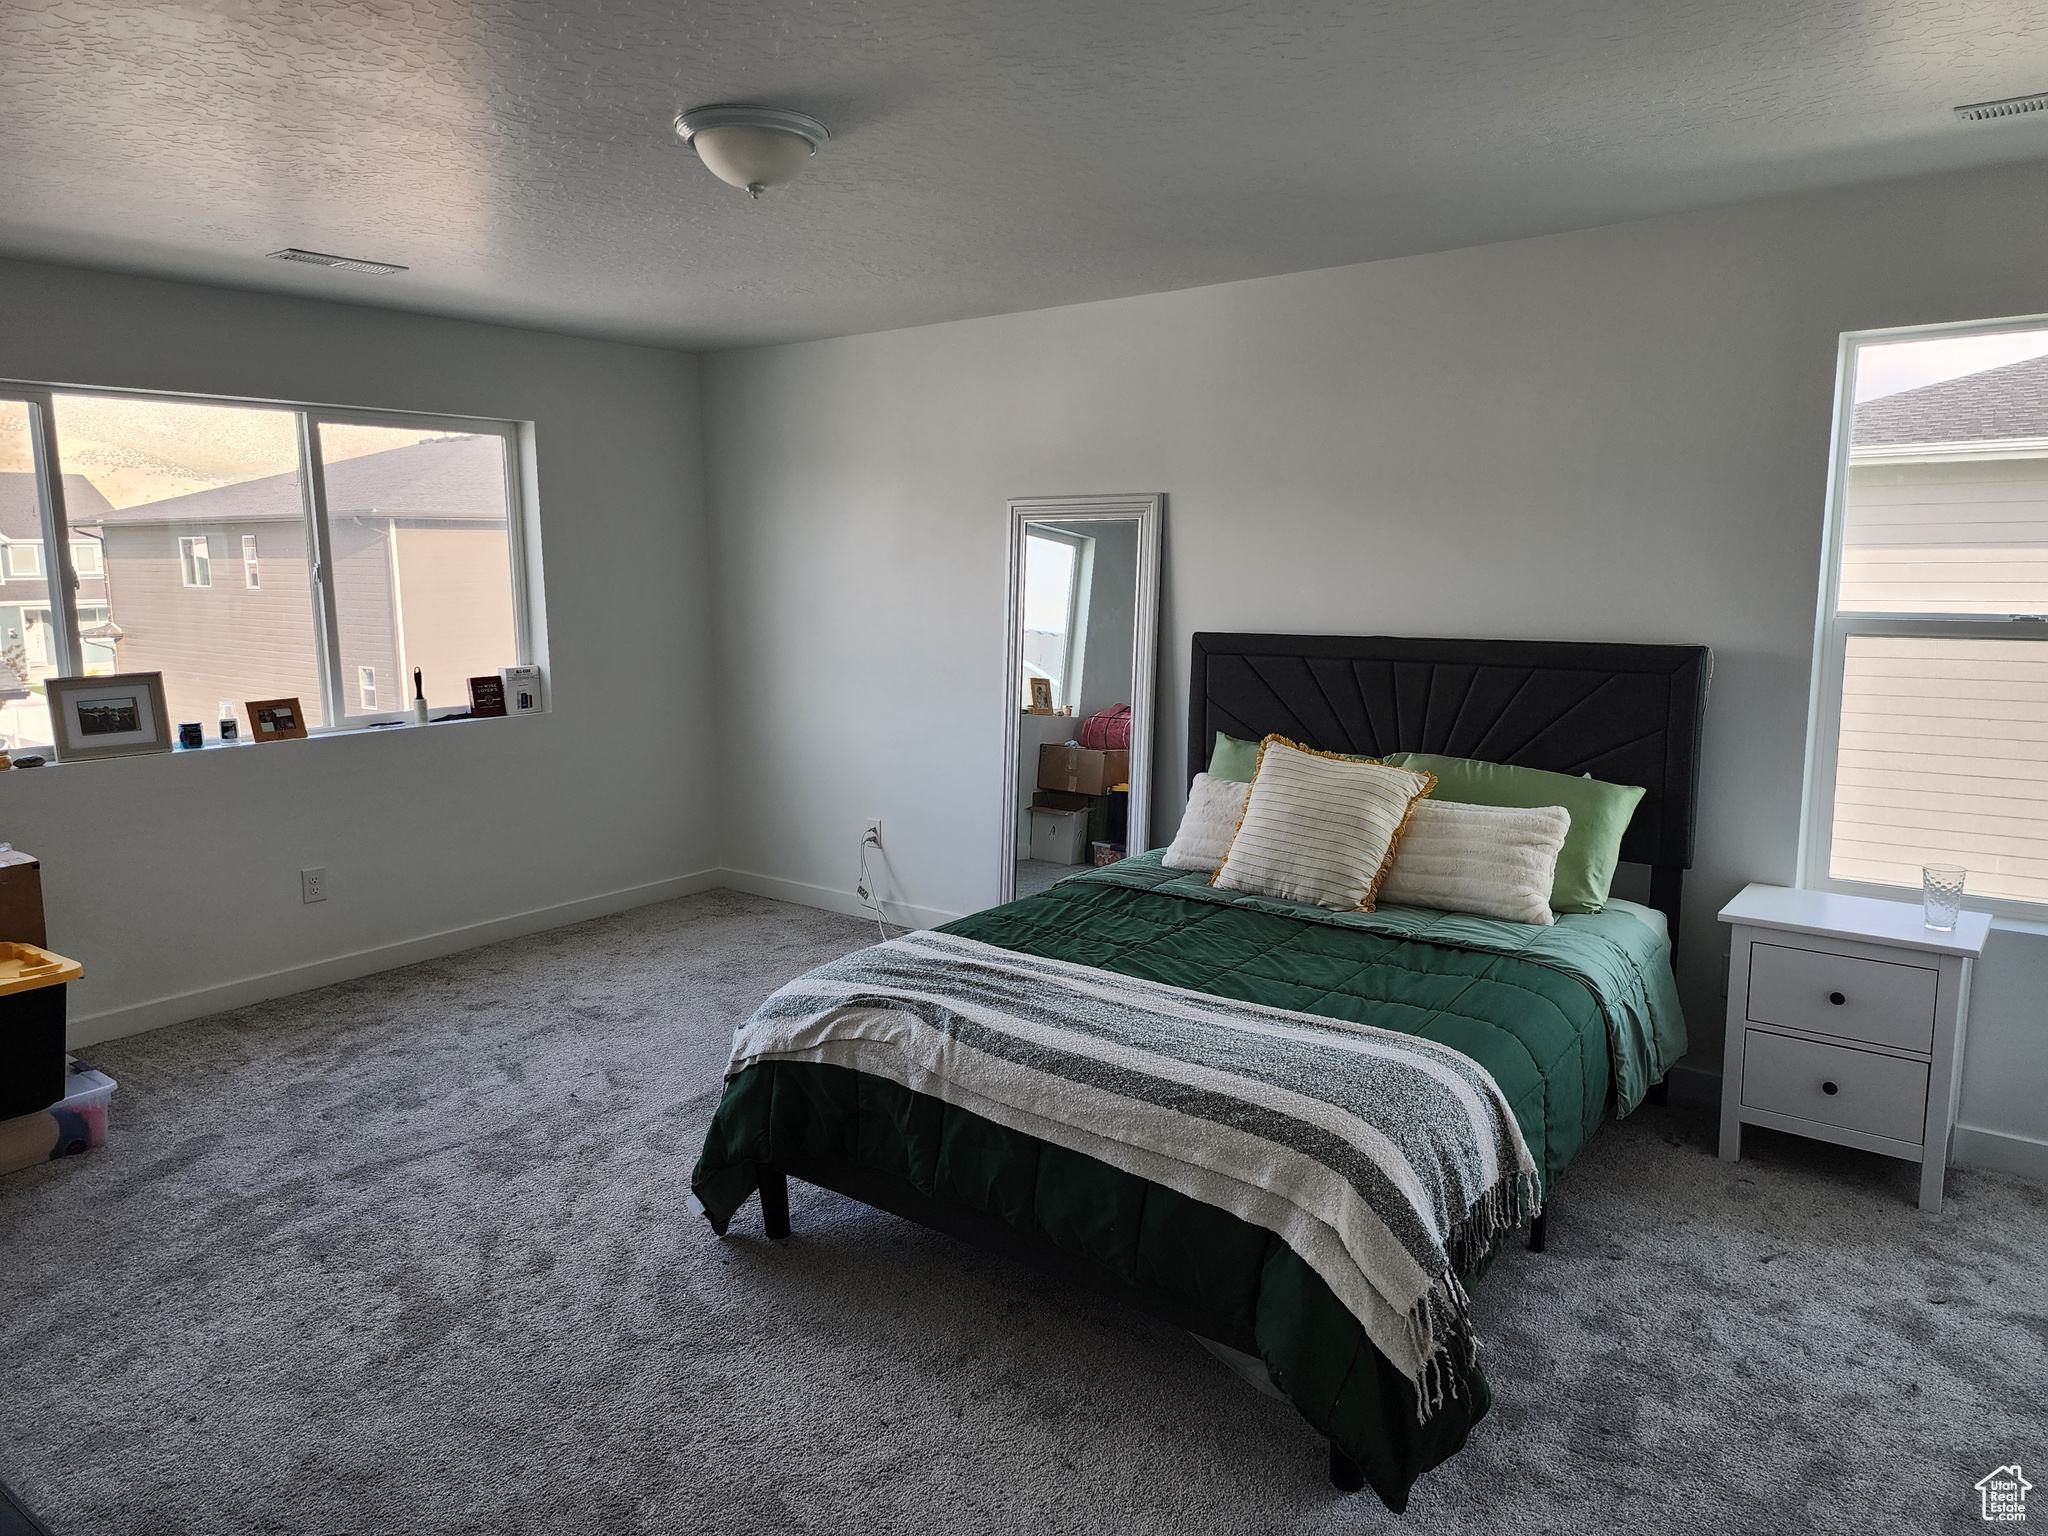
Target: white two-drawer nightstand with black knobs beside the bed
<point>1846,1023</point>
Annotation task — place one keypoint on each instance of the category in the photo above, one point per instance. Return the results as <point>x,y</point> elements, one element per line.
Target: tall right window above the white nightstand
<point>1930,724</point>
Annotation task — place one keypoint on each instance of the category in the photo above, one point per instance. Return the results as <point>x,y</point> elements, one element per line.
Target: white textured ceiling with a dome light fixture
<point>986,157</point>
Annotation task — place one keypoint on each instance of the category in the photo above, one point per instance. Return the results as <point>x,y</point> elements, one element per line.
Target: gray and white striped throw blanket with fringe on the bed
<point>1388,1162</point>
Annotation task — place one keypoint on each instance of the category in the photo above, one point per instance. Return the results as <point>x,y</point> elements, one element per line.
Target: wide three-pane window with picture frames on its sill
<point>366,544</point>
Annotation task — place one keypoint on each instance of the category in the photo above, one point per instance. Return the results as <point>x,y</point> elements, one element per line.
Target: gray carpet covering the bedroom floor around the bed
<point>411,1256</point>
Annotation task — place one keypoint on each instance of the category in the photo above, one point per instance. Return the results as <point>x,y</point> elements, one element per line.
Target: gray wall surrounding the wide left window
<point>177,880</point>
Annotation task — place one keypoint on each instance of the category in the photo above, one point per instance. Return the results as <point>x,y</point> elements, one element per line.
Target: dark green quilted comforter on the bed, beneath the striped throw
<point>1558,1015</point>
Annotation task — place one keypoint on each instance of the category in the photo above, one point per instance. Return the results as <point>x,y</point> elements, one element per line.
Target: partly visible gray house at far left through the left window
<point>28,640</point>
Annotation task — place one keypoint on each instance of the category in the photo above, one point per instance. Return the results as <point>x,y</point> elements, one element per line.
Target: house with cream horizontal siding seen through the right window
<point>1947,503</point>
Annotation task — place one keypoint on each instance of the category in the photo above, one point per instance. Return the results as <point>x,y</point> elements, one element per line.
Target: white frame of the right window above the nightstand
<point>1834,632</point>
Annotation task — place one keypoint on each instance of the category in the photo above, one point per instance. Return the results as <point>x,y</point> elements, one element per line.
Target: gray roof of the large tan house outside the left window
<point>443,478</point>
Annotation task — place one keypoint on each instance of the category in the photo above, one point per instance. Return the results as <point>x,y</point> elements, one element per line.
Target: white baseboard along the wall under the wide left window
<point>200,1002</point>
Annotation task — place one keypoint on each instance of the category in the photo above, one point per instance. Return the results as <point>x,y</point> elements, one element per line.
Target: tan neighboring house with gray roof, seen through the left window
<point>214,589</point>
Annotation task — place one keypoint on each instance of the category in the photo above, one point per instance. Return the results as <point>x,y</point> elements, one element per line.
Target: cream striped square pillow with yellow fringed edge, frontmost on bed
<point>1318,826</point>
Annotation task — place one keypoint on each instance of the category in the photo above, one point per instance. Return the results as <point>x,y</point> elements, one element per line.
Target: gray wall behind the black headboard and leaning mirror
<point>1609,435</point>
